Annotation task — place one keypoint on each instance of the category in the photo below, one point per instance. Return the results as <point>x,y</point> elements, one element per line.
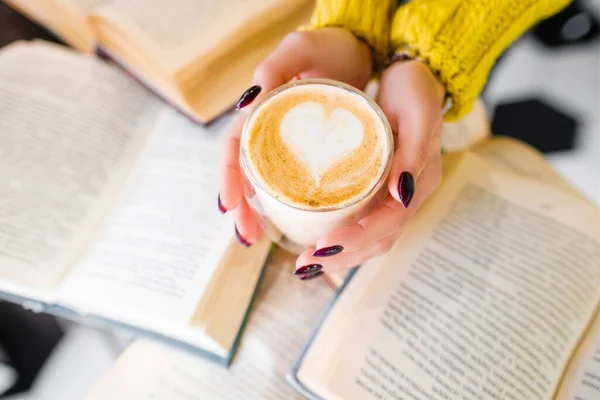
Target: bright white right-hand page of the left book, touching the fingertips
<point>162,242</point>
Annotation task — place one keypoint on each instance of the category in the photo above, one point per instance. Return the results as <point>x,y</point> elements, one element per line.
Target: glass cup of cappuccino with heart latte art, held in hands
<point>316,151</point>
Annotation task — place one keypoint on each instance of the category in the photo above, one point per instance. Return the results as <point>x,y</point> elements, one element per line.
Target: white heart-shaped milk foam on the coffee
<point>317,140</point>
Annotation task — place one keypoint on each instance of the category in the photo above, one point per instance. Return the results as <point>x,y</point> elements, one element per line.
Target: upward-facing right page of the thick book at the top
<point>192,27</point>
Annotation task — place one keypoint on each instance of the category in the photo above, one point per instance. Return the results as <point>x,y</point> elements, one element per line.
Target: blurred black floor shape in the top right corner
<point>576,24</point>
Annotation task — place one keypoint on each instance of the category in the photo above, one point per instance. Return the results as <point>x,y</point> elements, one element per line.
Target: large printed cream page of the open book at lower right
<point>485,296</point>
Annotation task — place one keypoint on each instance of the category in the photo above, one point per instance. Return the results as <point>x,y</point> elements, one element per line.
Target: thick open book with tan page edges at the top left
<point>197,54</point>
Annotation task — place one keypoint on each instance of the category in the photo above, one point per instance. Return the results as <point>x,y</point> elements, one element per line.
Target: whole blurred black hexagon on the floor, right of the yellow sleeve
<point>537,123</point>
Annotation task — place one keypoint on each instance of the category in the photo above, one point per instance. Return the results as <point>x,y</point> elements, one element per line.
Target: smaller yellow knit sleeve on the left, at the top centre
<point>368,20</point>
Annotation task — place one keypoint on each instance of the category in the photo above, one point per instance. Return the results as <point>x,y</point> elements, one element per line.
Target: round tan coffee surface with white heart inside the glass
<point>316,146</point>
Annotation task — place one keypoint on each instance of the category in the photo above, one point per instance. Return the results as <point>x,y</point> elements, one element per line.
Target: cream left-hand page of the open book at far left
<point>70,128</point>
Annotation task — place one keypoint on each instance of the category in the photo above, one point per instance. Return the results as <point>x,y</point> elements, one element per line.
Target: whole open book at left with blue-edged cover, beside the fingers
<point>108,204</point>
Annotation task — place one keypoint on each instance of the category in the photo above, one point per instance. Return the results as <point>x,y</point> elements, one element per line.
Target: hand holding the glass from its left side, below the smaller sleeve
<point>332,53</point>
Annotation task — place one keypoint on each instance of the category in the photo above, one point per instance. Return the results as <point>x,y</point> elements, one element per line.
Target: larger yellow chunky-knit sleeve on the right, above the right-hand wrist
<point>461,40</point>
